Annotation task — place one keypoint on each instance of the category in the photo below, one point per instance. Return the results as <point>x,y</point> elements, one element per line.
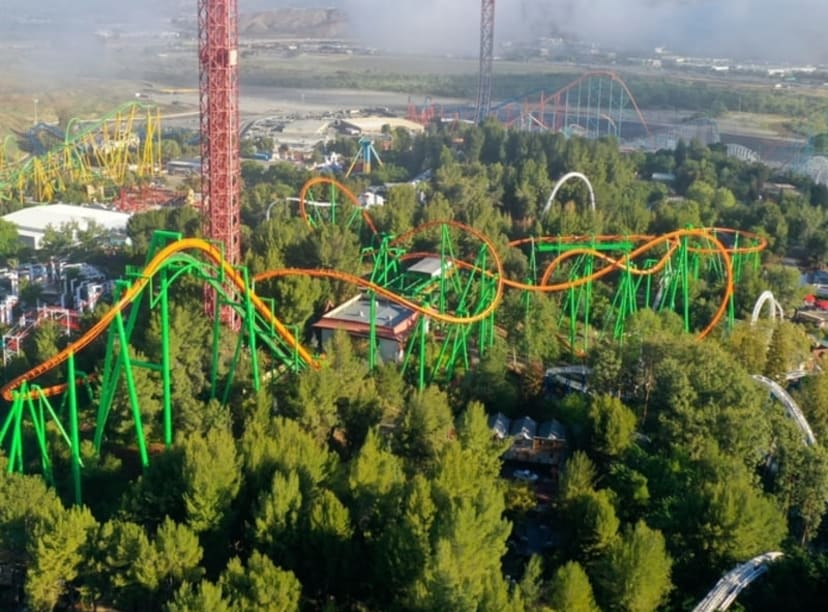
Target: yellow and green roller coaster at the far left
<point>98,152</point>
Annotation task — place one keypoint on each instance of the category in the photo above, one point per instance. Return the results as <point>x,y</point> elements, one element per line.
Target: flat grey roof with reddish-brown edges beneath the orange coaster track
<point>392,320</point>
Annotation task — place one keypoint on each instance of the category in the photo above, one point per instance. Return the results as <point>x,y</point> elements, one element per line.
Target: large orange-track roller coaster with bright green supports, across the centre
<point>454,311</point>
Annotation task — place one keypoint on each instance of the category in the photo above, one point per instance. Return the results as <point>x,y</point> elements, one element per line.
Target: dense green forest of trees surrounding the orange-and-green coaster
<point>347,488</point>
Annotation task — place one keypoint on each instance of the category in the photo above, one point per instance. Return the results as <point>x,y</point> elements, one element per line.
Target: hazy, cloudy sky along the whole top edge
<point>769,29</point>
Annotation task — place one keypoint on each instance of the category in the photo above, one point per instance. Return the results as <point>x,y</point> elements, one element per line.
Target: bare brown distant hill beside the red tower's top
<point>295,23</point>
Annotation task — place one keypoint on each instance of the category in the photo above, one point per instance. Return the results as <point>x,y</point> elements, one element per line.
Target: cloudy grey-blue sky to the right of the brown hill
<point>764,29</point>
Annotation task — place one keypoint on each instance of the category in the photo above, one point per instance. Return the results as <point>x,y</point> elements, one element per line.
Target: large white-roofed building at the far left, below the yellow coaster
<point>33,221</point>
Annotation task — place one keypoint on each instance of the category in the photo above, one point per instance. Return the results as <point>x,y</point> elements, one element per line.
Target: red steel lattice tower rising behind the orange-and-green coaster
<point>218,36</point>
